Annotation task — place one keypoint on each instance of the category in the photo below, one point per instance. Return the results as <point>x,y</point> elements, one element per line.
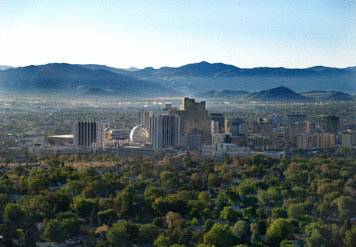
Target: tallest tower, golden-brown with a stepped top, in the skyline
<point>194,120</point>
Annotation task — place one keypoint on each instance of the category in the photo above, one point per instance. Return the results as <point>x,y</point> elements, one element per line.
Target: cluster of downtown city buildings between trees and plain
<point>191,127</point>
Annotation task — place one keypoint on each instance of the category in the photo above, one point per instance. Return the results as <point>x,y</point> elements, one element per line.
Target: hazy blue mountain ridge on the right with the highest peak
<point>198,77</point>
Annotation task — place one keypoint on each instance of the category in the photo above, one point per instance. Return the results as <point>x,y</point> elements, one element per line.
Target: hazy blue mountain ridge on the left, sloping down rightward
<point>78,79</point>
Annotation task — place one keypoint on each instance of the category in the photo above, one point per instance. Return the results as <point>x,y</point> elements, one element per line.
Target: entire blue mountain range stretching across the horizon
<point>190,79</point>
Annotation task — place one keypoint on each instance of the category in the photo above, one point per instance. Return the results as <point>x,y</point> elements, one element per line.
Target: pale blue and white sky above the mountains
<point>246,33</point>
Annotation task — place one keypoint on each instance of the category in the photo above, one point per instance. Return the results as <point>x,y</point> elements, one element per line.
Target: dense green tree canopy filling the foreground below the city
<point>180,201</point>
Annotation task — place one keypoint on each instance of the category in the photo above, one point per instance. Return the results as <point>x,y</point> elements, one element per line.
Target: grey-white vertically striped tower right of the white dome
<point>164,131</point>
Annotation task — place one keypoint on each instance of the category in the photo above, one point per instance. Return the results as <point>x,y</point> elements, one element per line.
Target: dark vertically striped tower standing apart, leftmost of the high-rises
<point>88,134</point>
